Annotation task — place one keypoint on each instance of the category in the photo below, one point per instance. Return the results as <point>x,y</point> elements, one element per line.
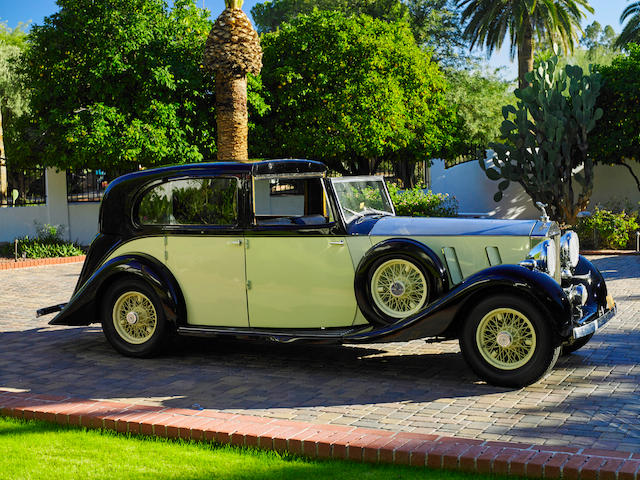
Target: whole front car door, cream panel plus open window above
<point>298,274</point>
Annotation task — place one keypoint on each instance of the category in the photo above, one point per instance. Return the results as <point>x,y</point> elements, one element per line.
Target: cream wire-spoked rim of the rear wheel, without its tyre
<point>134,317</point>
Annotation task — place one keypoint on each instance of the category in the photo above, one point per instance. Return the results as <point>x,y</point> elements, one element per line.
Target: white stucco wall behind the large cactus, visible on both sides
<point>475,191</point>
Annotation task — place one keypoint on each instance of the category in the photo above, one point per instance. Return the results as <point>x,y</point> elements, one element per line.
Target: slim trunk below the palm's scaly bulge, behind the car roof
<point>232,117</point>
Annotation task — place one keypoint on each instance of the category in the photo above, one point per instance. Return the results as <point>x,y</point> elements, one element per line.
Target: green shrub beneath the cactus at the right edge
<point>608,229</point>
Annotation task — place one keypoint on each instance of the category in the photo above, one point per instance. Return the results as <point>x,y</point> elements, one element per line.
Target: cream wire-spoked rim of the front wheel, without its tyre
<point>506,338</point>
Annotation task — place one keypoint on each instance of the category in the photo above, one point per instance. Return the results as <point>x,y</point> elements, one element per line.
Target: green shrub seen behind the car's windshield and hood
<point>418,202</point>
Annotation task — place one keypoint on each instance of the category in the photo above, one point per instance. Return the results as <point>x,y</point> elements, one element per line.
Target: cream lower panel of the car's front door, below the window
<point>299,282</point>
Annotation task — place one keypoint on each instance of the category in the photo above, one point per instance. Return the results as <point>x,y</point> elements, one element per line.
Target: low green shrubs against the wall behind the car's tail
<point>47,243</point>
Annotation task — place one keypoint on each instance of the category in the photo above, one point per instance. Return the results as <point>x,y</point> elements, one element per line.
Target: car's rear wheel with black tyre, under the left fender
<point>132,319</point>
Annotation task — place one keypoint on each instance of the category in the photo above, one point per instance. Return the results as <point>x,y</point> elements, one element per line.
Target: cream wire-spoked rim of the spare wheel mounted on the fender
<point>398,288</point>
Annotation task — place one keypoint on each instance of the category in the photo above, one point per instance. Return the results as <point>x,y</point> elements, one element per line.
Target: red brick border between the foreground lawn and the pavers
<point>328,441</point>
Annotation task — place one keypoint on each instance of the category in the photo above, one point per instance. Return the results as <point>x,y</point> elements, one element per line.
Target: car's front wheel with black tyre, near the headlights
<point>508,342</point>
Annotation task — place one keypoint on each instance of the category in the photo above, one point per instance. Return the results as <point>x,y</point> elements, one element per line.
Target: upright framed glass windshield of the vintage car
<point>360,196</point>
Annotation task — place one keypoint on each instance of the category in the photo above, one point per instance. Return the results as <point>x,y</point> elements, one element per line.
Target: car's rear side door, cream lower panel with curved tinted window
<point>204,248</point>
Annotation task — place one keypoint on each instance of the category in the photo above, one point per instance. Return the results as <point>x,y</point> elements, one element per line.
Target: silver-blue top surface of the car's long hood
<point>431,226</point>
